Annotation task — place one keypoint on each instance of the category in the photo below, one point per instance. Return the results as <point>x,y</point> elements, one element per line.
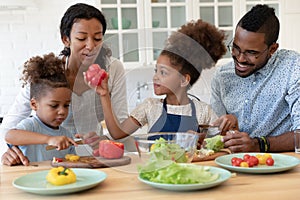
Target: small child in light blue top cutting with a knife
<point>50,97</point>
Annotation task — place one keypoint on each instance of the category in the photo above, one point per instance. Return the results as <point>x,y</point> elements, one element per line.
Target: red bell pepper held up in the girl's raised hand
<point>94,75</point>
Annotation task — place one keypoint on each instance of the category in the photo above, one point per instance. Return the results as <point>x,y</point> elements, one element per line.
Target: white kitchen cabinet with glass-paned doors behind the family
<point>137,29</point>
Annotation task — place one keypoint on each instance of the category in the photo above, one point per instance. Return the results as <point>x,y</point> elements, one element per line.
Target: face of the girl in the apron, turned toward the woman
<point>167,79</point>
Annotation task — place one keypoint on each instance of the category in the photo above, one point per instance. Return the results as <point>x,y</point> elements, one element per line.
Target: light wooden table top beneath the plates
<point>122,183</point>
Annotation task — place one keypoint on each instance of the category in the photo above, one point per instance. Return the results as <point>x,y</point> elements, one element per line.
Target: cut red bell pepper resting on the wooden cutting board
<point>110,149</point>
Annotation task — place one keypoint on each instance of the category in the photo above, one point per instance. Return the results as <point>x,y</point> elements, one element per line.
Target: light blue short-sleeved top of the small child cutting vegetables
<point>38,152</point>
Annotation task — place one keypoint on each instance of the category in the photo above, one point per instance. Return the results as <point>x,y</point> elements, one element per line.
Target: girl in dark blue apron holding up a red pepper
<point>194,47</point>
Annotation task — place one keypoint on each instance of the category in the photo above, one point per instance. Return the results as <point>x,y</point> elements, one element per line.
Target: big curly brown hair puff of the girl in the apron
<point>197,45</point>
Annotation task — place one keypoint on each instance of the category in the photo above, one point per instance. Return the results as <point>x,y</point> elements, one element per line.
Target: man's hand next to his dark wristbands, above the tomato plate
<point>239,142</point>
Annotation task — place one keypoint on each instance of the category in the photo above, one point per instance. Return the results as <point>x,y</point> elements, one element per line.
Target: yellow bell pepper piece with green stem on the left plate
<point>61,176</point>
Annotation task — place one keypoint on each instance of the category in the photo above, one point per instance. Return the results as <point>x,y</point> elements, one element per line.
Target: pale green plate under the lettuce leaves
<point>224,176</point>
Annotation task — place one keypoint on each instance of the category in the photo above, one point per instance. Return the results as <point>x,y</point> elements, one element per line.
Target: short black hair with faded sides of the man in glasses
<point>262,19</point>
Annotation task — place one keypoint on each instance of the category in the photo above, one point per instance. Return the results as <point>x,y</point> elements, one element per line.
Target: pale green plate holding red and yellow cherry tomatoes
<point>281,163</point>
